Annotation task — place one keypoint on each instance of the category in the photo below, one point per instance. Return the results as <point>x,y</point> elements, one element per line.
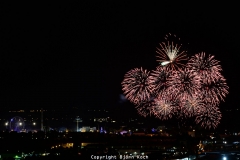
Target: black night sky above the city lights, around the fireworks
<point>76,54</point>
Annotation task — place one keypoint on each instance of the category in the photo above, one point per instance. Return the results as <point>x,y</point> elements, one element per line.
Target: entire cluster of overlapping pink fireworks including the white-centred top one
<point>194,90</point>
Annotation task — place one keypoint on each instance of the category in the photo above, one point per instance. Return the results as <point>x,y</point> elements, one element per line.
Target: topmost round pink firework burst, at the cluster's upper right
<point>206,67</point>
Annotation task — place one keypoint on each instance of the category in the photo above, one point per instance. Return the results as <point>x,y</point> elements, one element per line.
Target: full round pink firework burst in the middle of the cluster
<point>183,84</point>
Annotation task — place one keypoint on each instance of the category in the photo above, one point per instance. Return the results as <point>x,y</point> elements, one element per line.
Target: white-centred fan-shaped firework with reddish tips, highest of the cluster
<point>170,54</point>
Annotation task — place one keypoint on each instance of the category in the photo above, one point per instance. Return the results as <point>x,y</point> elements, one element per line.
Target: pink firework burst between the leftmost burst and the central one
<point>158,80</point>
